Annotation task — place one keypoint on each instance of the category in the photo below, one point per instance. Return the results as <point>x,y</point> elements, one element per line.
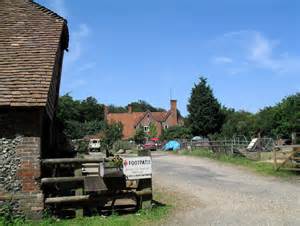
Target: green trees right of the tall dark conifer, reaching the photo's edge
<point>278,121</point>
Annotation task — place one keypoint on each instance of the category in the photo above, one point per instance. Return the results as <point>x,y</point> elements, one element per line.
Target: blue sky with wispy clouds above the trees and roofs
<point>122,51</point>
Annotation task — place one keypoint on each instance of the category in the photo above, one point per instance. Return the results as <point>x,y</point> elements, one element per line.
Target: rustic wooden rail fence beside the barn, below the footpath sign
<point>81,192</point>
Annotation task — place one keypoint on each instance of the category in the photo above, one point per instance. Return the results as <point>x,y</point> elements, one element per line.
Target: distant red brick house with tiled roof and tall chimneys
<point>133,120</point>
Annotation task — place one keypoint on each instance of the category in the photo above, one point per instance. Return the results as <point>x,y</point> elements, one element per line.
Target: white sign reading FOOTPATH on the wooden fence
<point>137,167</point>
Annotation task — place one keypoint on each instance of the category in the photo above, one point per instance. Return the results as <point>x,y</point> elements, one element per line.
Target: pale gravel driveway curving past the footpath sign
<point>220,194</point>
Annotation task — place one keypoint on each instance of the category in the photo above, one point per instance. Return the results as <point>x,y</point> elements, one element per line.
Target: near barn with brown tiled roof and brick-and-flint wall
<point>32,44</point>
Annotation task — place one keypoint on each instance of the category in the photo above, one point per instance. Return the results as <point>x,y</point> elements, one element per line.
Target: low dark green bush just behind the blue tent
<point>176,132</point>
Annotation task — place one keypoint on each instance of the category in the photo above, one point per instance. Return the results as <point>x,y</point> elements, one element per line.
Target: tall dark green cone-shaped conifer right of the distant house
<point>205,115</point>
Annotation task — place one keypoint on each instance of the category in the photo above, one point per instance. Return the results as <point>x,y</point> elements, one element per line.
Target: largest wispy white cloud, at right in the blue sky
<point>248,49</point>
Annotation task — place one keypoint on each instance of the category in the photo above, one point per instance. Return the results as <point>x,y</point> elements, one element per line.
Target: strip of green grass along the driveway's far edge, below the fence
<point>259,167</point>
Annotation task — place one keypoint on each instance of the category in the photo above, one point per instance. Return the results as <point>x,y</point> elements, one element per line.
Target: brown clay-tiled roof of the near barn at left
<point>30,38</point>
